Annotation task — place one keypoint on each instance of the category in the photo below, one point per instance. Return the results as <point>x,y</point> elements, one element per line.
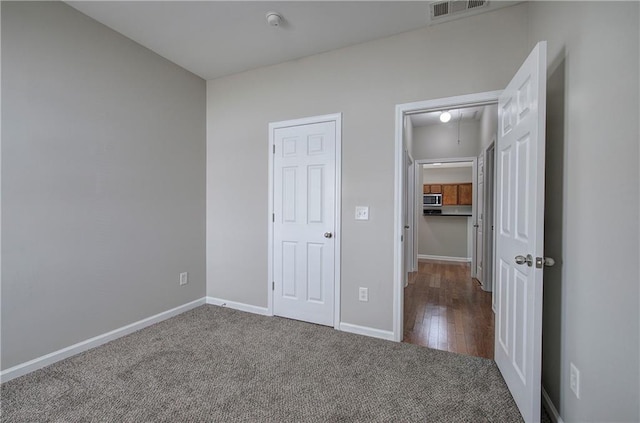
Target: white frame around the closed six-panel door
<point>337,118</point>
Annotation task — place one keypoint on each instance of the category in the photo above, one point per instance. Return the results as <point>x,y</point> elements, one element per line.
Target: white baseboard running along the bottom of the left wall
<point>48,359</point>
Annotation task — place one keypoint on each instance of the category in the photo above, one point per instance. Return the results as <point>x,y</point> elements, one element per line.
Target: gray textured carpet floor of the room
<point>218,364</point>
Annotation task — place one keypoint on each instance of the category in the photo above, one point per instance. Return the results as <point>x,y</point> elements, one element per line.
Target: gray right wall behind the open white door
<point>591,297</point>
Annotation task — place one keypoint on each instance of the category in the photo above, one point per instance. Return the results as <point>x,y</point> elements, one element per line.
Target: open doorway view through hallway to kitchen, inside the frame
<point>447,300</point>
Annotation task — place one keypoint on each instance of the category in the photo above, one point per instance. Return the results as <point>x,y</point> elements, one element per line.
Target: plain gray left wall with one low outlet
<point>103,180</point>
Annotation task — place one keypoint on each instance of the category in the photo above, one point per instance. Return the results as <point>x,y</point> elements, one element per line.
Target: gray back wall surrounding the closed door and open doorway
<point>364,82</point>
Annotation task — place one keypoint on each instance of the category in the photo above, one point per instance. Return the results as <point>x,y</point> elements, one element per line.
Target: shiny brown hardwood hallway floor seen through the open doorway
<point>445,309</point>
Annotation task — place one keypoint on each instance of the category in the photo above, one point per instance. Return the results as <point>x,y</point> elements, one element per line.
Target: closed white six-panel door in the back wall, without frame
<point>304,195</point>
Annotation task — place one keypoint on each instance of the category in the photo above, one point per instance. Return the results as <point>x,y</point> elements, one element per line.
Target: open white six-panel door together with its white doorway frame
<point>519,222</point>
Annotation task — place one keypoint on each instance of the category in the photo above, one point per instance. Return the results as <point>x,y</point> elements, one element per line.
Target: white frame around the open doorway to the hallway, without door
<point>402,110</point>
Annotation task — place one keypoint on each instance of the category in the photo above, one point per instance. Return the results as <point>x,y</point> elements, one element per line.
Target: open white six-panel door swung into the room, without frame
<point>519,238</point>
